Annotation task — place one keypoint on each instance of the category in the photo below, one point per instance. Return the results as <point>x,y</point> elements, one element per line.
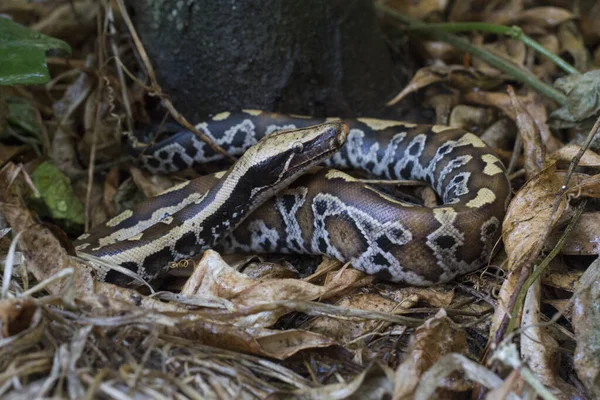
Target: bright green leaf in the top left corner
<point>23,54</point>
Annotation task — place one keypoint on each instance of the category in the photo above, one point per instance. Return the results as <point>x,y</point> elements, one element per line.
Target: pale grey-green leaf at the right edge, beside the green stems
<point>583,97</point>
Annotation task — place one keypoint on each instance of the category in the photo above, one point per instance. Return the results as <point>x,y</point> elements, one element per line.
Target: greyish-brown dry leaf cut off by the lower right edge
<point>586,321</point>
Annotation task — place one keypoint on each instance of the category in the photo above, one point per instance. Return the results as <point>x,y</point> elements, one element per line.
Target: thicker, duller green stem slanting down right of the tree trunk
<point>520,74</point>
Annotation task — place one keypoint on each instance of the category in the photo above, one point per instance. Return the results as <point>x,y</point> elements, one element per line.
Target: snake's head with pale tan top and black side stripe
<point>283,156</point>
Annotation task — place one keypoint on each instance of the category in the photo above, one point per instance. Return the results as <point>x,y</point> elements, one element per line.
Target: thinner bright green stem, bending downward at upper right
<point>512,31</point>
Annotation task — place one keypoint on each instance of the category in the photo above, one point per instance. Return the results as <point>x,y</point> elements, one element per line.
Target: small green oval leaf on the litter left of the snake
<point>57,200</point>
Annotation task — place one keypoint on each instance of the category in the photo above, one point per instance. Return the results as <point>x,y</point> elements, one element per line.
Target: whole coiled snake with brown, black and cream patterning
<point>324,211</point>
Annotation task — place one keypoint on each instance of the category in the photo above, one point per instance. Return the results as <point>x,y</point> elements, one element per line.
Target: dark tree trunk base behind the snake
<point>316,57</point>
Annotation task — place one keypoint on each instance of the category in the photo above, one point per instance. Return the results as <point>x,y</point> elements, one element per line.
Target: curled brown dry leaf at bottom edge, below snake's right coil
<point>431,341</point>
